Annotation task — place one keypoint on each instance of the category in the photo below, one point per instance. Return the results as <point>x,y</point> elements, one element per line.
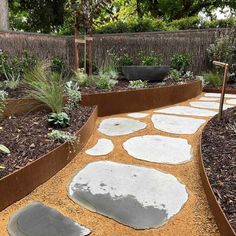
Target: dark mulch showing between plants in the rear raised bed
<point>122,85</point>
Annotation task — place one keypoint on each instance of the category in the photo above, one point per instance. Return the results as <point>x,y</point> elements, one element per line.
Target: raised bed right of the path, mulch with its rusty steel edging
<point>219,168</point>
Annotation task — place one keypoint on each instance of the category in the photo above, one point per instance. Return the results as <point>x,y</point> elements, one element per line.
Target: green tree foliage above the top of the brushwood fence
<point>53,16</point>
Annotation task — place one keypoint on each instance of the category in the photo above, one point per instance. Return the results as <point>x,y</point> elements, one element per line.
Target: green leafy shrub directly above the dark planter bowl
<point>151,59</point>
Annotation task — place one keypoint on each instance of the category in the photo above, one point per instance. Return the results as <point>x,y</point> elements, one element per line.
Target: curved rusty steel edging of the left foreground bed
<point>20,183</point>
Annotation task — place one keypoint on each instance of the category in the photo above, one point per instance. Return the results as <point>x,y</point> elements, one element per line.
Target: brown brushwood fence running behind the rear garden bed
<point>194,42</point>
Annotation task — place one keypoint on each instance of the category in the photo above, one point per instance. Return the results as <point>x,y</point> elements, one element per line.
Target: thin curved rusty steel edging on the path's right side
<point>220,217</point>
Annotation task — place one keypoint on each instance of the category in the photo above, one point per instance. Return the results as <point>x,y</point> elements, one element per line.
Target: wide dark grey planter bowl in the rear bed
<point>149,73</point>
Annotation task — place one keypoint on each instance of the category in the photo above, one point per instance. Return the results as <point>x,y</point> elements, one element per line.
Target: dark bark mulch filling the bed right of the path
<point>219,156</point>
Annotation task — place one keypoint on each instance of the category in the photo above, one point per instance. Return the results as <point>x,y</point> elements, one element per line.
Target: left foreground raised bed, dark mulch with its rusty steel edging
<point>34,158</point>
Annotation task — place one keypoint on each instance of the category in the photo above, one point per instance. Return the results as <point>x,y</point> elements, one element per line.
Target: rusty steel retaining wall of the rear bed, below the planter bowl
<point>110,103</point>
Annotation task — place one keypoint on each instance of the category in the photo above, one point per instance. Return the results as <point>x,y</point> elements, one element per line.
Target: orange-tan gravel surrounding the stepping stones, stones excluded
<point>195,219</point>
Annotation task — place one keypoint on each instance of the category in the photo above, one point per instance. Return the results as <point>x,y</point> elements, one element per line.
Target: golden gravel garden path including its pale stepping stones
<point>141,181</point>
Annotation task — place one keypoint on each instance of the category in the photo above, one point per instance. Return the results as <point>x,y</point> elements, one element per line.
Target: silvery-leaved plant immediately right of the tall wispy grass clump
<point>73,95</point>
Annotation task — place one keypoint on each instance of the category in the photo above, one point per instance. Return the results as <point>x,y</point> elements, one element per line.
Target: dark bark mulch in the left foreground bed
<point>26,136</point>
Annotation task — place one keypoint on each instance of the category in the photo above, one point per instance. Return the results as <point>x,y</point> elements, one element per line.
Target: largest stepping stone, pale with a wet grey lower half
<point>139,197</point>
